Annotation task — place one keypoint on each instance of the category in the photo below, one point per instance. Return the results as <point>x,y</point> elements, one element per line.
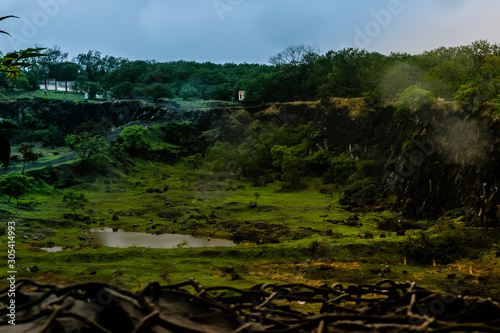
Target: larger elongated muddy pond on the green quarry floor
<point>120,238</point>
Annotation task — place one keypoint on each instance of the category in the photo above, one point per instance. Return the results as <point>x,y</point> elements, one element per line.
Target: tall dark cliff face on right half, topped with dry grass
<point>433,160</point>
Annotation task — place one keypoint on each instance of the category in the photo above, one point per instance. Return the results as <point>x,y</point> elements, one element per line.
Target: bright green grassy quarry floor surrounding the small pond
<point>303,235</point>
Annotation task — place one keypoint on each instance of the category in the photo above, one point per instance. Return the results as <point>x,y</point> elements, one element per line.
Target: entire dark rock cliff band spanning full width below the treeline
<point>433,160</point>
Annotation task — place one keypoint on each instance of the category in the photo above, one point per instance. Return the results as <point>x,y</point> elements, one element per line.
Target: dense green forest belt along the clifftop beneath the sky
<point>468,74</point>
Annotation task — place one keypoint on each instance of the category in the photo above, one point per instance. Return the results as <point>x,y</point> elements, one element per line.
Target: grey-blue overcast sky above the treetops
<point>244,30</point>
